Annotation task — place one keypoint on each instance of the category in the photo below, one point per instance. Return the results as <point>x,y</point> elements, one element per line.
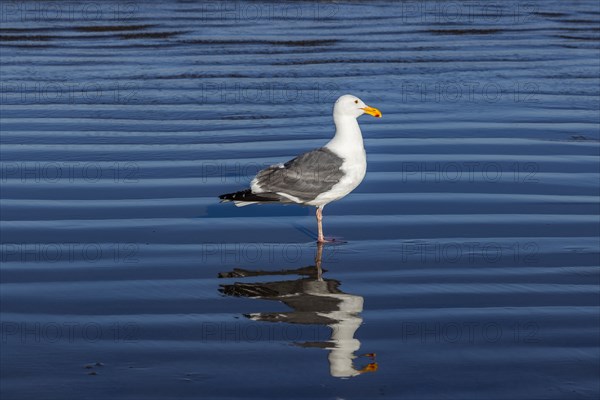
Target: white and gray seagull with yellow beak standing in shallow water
<point>320,176</point>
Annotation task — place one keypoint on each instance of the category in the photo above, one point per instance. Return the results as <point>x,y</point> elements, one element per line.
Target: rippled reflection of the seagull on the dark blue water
<point>315,301</point>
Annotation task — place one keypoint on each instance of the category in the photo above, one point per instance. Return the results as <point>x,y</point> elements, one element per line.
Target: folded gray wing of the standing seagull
<point>304,177</point>
